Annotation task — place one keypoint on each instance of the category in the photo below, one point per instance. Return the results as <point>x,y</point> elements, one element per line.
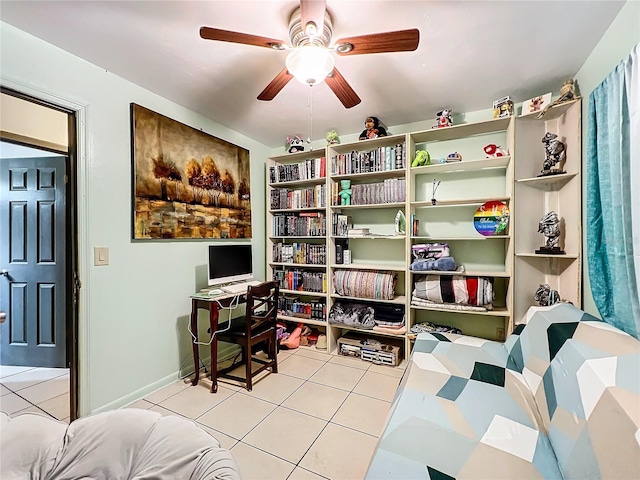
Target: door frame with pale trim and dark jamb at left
<point>77,234</point>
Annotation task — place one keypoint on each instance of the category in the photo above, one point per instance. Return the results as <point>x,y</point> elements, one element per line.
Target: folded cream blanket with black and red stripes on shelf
<point>454,289</point>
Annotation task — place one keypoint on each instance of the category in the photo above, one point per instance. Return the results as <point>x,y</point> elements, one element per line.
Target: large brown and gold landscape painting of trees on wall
<point>186,184</point>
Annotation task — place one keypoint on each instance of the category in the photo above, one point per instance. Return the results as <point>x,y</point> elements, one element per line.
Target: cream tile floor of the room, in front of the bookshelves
<point>319,417</point>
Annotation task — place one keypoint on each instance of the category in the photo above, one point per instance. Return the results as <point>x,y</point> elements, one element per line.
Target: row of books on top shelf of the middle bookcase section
<point>378,160</point>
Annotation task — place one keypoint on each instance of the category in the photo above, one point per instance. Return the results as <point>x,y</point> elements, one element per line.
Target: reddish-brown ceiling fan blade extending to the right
<point>398,41</point>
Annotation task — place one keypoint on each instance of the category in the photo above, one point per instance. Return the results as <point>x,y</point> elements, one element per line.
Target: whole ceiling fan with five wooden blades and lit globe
<point>310,59</point>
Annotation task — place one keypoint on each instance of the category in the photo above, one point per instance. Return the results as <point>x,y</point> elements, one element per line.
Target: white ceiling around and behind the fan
<point>470,53</point>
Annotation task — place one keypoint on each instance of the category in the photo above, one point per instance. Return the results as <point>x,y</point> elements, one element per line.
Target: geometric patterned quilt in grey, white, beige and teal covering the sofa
<point>542,405</point>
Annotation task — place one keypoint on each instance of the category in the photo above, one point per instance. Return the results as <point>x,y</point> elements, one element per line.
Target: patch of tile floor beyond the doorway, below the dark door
<point>29,389</point>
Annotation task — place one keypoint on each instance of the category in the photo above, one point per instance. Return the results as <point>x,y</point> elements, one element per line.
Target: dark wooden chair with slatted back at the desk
<point>257,326</point>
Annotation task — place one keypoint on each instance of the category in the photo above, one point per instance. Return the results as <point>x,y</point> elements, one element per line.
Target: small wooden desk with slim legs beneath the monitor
<point>212,305</point>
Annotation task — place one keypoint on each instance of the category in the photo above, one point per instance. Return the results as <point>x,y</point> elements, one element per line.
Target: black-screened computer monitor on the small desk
<point>230,263</point>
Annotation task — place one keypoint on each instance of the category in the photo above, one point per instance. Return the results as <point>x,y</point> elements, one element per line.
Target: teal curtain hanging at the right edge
<point>613,196</point>
